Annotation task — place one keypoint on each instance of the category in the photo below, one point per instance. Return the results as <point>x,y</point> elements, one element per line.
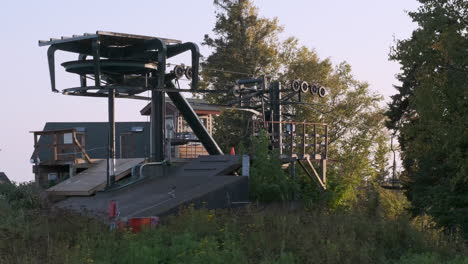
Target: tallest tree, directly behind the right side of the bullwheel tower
<point>245,45</point>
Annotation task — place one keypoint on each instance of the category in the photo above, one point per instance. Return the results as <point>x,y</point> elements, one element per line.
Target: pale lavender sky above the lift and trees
<point>359,32</point>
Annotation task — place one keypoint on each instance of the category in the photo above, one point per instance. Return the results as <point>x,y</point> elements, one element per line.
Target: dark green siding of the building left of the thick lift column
<point>96,138</point>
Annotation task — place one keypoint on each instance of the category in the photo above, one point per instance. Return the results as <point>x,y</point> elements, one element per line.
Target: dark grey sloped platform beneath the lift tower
<point>202,180</point>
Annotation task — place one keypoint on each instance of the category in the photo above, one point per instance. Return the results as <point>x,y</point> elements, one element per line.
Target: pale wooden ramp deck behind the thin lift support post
<point>93,179</point>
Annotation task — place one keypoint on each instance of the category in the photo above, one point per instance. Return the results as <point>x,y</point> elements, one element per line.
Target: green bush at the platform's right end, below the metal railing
<point>268,181</point>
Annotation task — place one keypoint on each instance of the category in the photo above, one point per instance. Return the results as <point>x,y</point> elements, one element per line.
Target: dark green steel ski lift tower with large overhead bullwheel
<point>124,66</point>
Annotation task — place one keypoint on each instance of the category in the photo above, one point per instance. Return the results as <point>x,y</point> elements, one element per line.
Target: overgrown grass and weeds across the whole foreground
<point>32,232</point>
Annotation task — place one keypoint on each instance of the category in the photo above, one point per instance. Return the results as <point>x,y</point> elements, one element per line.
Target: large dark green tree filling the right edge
<point>430,111</point>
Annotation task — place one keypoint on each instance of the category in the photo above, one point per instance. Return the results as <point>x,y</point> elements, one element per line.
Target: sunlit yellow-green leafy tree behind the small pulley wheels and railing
<point>356,121</point>
